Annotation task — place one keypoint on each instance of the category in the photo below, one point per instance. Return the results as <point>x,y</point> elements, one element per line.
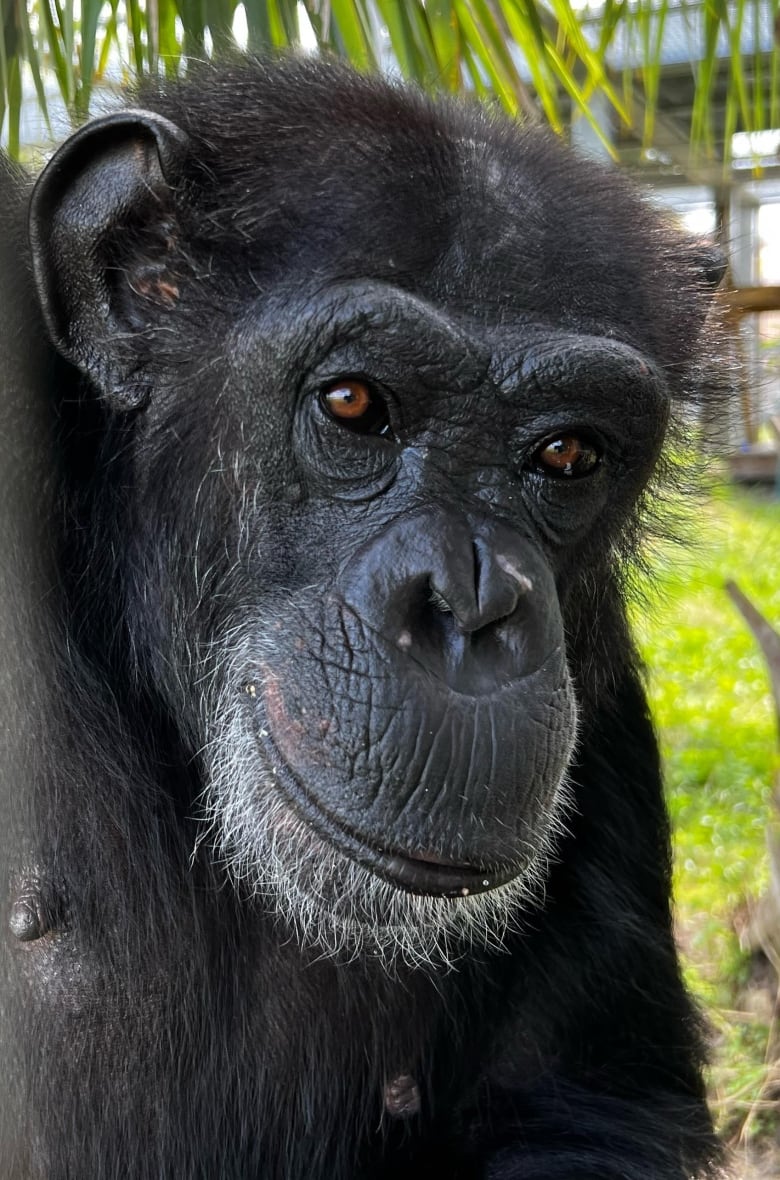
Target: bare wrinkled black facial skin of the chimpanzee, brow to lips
<point>431,626</point>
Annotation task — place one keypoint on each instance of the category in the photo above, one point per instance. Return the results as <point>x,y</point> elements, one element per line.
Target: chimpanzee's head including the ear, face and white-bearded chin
<point>370,392</point>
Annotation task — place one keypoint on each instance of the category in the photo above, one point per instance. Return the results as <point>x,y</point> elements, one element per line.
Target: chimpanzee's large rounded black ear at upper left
<point>103,232</point>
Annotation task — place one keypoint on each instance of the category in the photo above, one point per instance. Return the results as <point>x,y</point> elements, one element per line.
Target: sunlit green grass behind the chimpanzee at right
<point>710,691</point>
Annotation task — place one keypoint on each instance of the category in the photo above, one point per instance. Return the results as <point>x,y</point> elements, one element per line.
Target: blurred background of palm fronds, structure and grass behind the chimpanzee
<point>686,99</point>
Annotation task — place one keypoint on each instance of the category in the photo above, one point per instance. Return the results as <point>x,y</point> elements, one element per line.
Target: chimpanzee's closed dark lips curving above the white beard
<point>423,874</point>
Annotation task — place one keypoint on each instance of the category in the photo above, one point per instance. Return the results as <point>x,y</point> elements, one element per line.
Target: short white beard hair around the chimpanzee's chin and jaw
<point>326,901</point>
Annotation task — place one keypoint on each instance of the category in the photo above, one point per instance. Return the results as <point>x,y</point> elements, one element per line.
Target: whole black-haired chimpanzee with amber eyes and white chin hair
<point>333,835</point>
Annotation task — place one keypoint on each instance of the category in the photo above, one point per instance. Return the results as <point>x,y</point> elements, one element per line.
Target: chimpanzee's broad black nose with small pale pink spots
<point>468,599</point>
